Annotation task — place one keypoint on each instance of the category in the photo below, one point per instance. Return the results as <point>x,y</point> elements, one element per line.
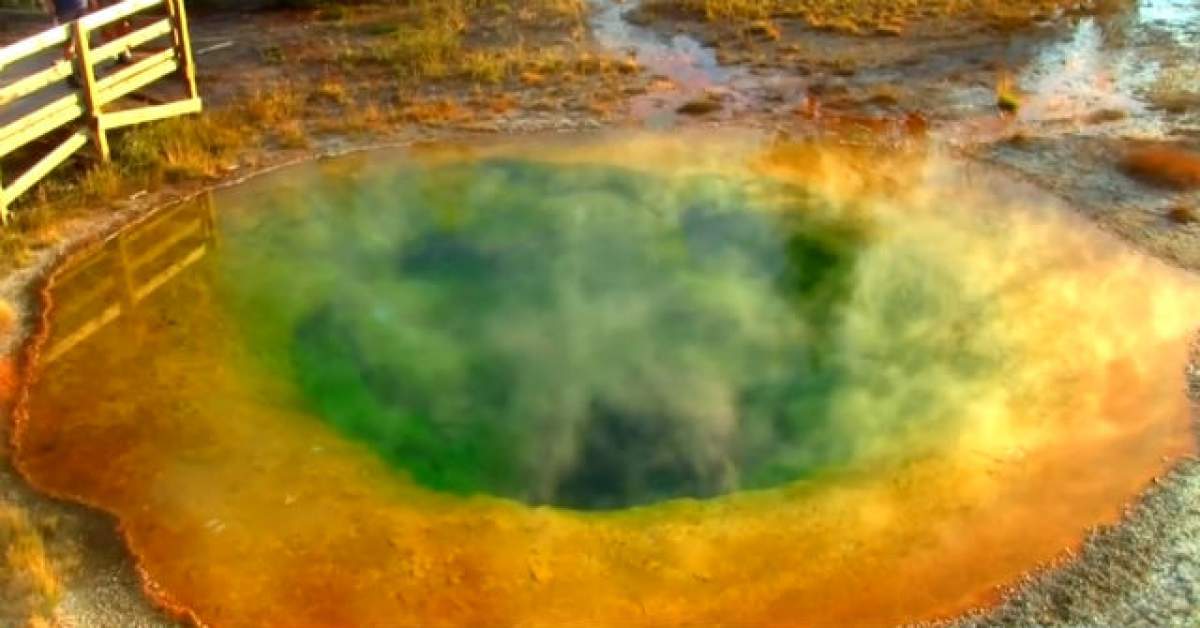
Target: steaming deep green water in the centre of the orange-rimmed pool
<point>592,337</point>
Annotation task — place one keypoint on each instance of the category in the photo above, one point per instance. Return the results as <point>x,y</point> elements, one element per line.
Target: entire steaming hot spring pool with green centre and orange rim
<point>841,390</point>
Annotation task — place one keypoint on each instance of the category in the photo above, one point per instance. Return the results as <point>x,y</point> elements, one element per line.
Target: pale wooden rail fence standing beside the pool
<point>75,94</point>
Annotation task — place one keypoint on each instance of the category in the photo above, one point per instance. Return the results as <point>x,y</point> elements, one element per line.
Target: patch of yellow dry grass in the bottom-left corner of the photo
<point>29,584</point>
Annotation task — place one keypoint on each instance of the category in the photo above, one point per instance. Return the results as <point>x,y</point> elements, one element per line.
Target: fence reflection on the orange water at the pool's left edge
<point>127,270</point>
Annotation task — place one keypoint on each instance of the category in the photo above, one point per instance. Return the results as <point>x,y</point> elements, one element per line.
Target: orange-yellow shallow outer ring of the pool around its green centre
<point>245,507</point>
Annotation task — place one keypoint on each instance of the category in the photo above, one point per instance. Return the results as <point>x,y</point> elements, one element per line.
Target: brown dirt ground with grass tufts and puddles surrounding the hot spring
<point>1071,101</point>
